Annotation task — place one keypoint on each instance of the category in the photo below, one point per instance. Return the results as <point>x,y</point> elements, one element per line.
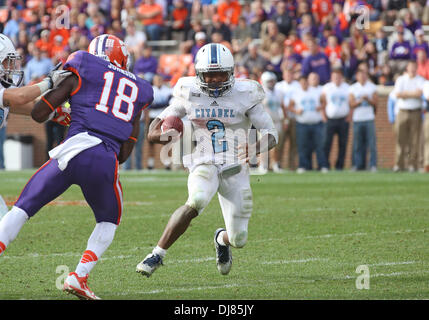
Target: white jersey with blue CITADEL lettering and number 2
<point>220,124</point>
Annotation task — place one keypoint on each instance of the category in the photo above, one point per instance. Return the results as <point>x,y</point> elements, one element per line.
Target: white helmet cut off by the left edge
<point>10,69</point>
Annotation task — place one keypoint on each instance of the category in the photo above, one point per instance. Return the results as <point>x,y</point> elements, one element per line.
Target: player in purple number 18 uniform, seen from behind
<point>106,102</point>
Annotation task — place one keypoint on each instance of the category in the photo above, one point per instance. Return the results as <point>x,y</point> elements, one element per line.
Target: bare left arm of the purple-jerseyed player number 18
<point>54,98</point>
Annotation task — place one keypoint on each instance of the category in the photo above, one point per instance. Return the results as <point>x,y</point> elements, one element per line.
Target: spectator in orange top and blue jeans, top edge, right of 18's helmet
<point>151,17</point>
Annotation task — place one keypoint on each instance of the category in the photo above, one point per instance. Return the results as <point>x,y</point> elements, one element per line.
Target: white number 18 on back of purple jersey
<point>120,97</point>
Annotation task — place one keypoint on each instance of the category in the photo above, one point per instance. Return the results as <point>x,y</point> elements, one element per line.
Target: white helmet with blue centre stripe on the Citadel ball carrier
<point>214,57</point>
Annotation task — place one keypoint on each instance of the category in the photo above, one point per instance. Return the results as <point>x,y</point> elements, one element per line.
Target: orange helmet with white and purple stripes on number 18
<point>110,48</point>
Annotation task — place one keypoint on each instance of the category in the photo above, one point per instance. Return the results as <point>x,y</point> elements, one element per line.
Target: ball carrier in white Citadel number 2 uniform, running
<point>221,110</point>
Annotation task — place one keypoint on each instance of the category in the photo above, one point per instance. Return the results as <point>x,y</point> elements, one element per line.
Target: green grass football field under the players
<point>307,235</point>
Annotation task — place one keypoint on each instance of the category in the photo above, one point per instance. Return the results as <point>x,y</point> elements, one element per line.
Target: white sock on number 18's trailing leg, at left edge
<point>10,225</point>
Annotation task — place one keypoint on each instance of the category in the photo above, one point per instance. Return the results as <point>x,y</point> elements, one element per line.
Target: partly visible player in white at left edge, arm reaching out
<point>21,100</point>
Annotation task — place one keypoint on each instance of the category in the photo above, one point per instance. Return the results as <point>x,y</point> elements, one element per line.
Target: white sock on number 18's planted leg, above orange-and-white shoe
<point>98,242</point>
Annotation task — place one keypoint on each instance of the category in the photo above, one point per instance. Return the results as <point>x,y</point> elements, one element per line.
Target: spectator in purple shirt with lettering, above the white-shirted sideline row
<point>316,62</point>
